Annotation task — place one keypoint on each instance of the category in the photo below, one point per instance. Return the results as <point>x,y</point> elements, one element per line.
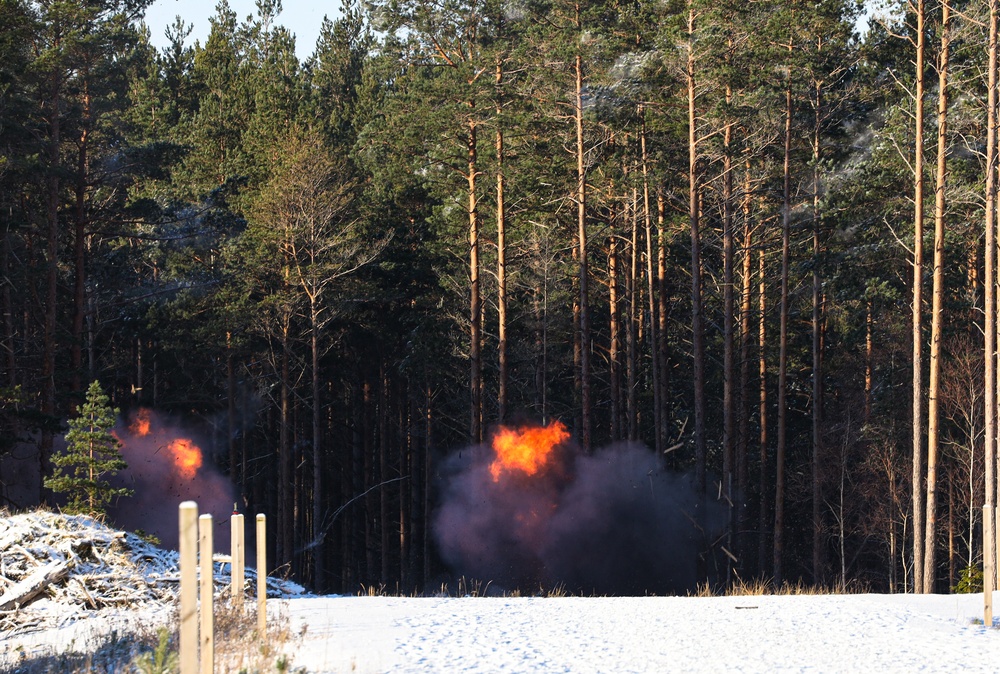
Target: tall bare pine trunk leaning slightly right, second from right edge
<point>937,308</point>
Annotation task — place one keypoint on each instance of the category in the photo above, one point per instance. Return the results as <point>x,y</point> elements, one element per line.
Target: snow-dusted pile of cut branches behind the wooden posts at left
<point>56,568</point>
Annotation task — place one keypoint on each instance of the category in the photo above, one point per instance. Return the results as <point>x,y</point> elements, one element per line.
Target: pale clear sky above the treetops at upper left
<point>301,17</point>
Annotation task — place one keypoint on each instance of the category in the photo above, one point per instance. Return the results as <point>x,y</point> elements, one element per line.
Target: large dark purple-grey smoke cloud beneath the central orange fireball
<point>613,522</point>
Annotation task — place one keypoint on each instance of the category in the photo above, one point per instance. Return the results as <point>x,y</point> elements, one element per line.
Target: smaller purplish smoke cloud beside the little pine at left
<point>160,486</point>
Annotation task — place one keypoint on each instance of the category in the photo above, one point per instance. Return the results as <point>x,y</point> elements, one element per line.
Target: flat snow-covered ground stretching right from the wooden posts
<point>834,633</point>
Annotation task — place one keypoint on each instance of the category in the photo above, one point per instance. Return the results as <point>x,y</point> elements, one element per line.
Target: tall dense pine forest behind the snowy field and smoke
<point>688,224</point>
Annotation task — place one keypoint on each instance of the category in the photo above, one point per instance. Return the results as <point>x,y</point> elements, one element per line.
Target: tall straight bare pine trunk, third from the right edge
<point>918,271</point>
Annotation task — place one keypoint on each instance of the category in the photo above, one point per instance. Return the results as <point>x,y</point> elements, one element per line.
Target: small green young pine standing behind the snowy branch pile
<point>92,455</point>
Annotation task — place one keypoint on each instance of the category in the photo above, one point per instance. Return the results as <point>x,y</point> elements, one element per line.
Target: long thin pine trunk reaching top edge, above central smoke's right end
<point>697,327</point>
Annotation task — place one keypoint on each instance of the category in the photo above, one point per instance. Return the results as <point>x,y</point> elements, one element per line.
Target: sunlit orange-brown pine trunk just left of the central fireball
<point>475,301</point>
